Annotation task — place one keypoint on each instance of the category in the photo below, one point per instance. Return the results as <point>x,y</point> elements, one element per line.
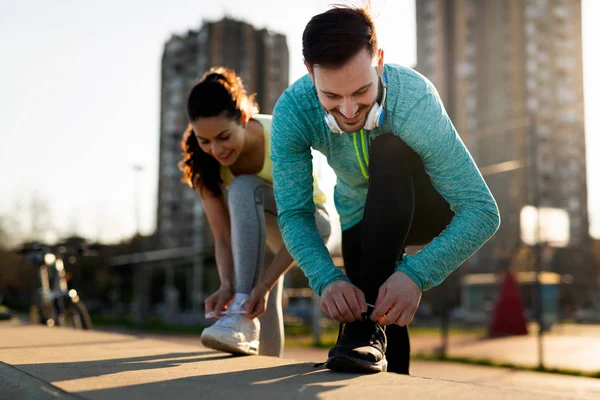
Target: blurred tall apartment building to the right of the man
<point>511,77</point>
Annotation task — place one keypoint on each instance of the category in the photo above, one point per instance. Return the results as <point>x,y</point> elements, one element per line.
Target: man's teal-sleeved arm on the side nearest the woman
<point>293,187</point>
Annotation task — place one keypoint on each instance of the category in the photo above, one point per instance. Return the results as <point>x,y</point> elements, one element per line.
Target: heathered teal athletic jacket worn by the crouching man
<point>415,113</point>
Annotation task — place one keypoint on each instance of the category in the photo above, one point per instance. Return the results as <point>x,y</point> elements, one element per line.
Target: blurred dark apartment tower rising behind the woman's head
<point>260,57</point>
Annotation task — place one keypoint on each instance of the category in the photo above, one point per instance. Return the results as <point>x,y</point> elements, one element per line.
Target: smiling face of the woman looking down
<point>220,137</point>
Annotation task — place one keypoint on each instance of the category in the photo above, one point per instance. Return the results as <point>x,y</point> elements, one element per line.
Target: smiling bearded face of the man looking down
<point>350,91</point>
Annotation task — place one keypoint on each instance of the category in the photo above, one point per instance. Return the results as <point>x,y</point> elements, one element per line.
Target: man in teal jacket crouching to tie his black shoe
<point>404,177</point>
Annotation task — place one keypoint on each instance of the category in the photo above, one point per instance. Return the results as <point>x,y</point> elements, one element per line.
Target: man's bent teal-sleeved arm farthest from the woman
<point>429,131</point>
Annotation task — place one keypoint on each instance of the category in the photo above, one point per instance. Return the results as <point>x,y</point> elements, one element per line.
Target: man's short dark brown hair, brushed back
<point>332,38</point>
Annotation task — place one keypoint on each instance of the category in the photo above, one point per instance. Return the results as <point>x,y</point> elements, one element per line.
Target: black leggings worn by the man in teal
<point>402,208</point>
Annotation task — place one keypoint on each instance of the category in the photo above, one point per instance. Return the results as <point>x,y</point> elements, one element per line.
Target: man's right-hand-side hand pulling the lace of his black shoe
<point>399,298</point>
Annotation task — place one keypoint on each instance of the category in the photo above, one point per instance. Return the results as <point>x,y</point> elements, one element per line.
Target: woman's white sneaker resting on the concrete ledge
<point>233,333</point>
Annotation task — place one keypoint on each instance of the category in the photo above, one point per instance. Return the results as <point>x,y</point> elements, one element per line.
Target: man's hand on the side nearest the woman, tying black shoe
<point>343,301</point>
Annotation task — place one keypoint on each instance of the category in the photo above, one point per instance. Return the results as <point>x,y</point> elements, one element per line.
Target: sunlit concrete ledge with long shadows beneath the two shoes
<point>97,365</point>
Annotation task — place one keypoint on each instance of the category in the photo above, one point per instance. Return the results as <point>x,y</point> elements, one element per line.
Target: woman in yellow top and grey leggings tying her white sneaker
<point>226,159</point>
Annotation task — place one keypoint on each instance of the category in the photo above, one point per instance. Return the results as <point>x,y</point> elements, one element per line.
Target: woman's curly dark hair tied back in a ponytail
<point>220,92</point>
